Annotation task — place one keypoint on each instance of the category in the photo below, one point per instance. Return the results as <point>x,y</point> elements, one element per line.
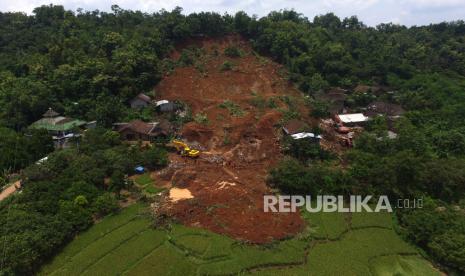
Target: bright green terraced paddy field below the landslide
<point>334,244</point>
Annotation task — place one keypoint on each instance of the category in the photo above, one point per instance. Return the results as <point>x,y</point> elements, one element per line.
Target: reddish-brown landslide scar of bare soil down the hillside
<point>227,181</point>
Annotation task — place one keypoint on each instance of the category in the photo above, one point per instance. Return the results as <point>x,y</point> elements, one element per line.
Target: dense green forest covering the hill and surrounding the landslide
<point>89,64</point>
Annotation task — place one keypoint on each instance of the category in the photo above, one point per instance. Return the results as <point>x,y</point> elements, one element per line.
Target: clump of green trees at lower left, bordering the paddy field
<point>64,194</point>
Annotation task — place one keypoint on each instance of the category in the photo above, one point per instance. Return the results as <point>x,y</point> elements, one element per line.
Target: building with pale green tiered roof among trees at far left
<point>61,128</point>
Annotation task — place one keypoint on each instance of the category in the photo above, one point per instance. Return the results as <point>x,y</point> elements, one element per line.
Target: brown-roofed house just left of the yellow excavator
<point>139,130</point>
